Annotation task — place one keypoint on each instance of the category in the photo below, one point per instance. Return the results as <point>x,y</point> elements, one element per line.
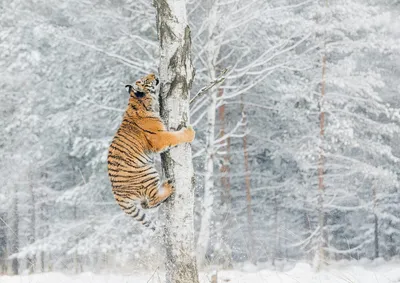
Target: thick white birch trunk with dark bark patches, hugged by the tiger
<point>176,75</point>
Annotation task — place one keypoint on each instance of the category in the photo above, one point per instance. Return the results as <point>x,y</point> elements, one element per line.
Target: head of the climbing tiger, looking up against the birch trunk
<point>143,93</point>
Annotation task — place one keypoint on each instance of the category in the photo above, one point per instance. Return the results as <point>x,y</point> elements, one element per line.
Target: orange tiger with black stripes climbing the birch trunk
<point>131,167</point>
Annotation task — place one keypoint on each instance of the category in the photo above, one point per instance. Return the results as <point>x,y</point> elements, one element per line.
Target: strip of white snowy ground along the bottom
<point>301,273</point>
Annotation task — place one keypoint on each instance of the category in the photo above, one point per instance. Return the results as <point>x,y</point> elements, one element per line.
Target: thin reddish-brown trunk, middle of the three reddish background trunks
<point>248,189</point>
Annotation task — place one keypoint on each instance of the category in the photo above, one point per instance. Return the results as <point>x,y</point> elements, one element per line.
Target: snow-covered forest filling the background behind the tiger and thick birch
<point>296,154</point>
